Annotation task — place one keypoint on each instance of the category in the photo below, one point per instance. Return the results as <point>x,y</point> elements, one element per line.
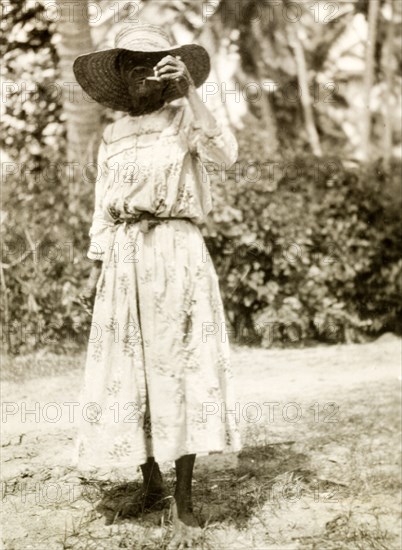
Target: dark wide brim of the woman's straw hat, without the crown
<point>98,74</point>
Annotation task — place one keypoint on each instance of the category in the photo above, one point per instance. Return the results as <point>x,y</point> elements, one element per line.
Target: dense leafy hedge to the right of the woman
<point>306,248</point>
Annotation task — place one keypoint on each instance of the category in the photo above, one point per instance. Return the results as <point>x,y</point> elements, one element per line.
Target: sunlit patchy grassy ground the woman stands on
<point>319,469</point>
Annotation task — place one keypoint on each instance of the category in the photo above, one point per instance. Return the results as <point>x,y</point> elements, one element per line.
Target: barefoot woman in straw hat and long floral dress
<point>157,379</point>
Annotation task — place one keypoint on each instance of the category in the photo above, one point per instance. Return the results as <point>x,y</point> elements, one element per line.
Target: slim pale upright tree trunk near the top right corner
<point>374,6</point>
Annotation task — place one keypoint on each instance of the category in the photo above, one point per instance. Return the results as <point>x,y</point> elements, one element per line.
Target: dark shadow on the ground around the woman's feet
<point>233,494</point>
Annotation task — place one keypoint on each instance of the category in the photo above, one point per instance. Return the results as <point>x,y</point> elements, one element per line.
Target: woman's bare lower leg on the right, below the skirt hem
<point>182,495</point>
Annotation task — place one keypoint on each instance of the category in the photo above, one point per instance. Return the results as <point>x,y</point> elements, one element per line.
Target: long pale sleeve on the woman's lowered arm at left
<point>101,222</point>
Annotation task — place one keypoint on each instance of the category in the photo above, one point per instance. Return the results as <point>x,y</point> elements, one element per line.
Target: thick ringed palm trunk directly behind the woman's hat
<point>82,113</point>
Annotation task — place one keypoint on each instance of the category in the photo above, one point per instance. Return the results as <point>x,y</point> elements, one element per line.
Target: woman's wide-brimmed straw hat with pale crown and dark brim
<point>98,72</point>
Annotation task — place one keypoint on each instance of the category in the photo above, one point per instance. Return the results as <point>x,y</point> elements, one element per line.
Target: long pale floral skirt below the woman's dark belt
<point>158,379</point>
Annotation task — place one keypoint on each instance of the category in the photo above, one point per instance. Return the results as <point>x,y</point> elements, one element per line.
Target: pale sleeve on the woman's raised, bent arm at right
<point>218,145</point>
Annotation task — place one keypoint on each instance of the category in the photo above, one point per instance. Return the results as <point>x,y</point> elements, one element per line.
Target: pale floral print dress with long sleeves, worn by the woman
<point>158,378</point>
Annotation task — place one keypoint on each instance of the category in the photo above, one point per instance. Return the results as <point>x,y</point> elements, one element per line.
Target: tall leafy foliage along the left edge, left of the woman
<point>43,227</point>
